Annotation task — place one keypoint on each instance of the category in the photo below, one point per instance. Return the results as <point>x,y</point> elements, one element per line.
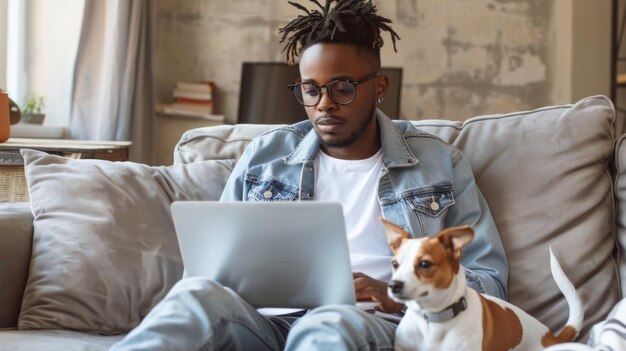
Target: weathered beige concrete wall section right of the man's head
<point>464,58</point>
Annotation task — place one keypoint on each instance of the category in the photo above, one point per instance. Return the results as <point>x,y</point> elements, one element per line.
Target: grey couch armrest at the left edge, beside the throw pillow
<point>16,236</point>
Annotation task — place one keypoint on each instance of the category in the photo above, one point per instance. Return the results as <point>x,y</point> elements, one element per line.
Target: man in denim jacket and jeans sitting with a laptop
<point>348,152</point>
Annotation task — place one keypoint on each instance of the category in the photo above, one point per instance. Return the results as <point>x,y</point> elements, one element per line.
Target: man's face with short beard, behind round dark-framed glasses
<point>347,131</point>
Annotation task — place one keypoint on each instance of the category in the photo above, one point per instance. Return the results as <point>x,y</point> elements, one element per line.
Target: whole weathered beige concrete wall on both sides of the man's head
<point>460,57</point>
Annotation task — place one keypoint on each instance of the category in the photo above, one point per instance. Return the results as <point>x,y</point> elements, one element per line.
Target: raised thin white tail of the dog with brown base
<point>576,312</point>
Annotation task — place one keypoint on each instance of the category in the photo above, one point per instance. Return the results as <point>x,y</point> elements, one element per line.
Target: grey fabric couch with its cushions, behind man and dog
<point>552,176</point>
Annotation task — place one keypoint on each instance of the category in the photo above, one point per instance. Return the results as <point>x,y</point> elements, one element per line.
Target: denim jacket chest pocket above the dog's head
<point>430,200</point>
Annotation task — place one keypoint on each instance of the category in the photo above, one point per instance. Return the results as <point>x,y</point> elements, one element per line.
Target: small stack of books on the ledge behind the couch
<point>193,99</point>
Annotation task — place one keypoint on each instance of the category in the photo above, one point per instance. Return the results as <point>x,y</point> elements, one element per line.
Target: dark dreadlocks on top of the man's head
<point>349,21</point>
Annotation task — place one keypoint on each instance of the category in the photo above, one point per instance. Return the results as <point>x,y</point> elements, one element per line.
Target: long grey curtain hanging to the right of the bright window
<point>112,94</point>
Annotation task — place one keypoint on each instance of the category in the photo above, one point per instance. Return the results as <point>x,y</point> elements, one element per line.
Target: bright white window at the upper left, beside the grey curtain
<point>41,42</point>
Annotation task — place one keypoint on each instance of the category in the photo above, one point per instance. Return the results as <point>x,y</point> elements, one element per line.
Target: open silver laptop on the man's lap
<point>275,254</point>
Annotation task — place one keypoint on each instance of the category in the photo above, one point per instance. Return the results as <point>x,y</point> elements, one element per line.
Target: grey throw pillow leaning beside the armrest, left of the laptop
<point>104,248</point>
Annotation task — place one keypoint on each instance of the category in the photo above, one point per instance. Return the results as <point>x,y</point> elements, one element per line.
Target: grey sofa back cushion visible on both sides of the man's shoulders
<point>545,175</point>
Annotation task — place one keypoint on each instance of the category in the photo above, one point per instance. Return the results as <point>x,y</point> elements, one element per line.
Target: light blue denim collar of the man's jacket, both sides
<point>396,152</point>
